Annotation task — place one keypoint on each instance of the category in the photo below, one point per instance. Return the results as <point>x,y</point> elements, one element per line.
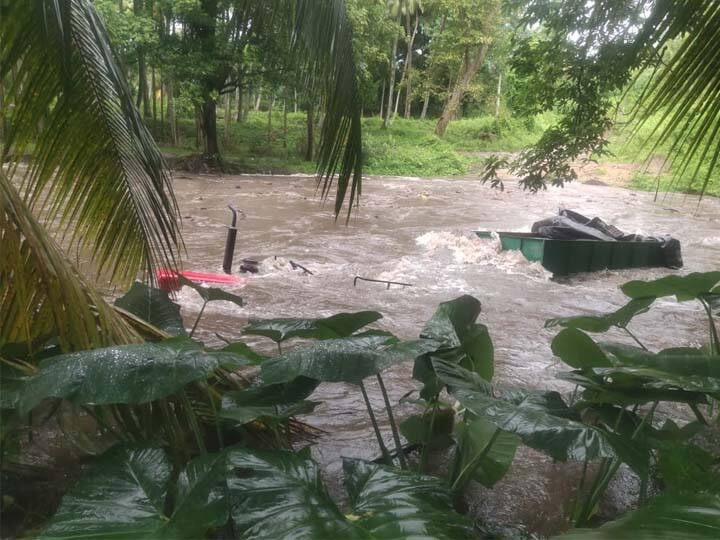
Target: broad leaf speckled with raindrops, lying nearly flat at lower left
<point>131,374</point>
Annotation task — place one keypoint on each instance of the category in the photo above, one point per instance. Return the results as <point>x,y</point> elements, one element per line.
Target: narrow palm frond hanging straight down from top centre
<point>323,39</point>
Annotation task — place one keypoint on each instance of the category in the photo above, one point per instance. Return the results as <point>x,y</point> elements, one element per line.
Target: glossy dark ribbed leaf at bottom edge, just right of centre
<point>388,503</point>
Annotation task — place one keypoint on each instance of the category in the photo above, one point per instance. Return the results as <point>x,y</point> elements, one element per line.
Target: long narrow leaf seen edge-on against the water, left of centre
<point>337,326</point>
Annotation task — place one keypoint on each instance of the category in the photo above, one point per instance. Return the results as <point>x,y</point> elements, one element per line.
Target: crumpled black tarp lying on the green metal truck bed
<point>569,225</point>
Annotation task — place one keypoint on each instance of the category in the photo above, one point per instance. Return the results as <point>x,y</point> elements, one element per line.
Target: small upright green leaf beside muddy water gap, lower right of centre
<point>483,454</point>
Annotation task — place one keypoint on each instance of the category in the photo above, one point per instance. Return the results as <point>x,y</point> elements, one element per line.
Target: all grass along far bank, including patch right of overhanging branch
<point>411,148</point>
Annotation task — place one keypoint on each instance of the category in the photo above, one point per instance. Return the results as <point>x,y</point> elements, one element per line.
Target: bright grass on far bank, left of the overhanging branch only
<point>406,148</point>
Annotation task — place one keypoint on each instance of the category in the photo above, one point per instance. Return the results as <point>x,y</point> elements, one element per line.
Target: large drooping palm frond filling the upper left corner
<point>95,170</point>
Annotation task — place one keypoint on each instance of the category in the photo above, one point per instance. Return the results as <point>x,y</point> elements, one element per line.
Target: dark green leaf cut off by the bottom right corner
<point>670,516</point>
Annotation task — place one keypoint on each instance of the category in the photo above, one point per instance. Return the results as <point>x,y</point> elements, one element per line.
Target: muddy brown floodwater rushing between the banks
<point>418,231</point>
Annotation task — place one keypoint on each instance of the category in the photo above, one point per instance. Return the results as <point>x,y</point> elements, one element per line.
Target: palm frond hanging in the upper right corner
<point>684,94</point>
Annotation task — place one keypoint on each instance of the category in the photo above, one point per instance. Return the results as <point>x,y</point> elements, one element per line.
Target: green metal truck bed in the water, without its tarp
<point>563,257</point>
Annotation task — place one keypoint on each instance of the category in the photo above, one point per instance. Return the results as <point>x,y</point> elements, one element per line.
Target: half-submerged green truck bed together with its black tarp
<point>570,243</point>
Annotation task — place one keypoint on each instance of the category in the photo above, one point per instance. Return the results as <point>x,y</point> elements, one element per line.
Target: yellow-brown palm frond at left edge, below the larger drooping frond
<point>41,294</point>
